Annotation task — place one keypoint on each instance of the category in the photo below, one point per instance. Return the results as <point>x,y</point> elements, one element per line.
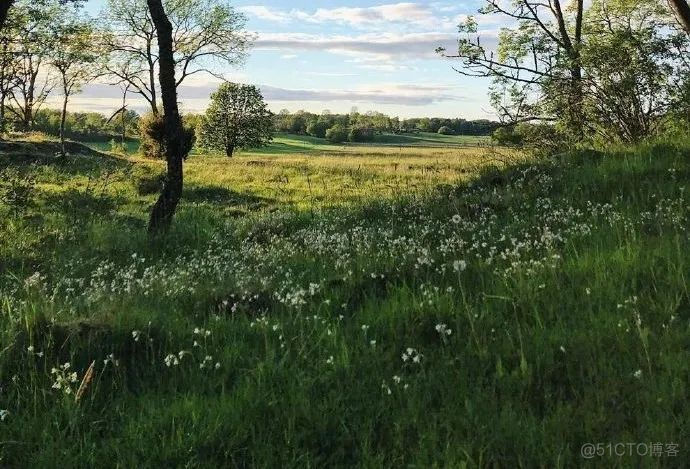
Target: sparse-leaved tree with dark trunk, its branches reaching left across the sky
<point>539,58</point>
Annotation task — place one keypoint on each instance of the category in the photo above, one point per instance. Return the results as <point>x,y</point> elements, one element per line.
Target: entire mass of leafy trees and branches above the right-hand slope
<point>602,70</point>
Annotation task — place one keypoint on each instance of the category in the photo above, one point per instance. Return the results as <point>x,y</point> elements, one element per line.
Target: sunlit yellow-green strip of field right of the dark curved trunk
<point>343,174</point>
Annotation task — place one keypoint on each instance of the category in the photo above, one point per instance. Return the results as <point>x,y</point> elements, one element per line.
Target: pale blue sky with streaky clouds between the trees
<point>340,54</point>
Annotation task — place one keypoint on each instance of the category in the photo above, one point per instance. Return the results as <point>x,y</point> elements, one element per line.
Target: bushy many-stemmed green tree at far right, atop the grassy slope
<point>630,68</point>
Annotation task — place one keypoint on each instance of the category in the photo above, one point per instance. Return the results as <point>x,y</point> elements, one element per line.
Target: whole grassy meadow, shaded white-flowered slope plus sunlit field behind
<point>564,284</point>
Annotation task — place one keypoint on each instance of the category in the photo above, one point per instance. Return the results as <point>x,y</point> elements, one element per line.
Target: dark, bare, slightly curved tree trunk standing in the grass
<point>172,139</point>
